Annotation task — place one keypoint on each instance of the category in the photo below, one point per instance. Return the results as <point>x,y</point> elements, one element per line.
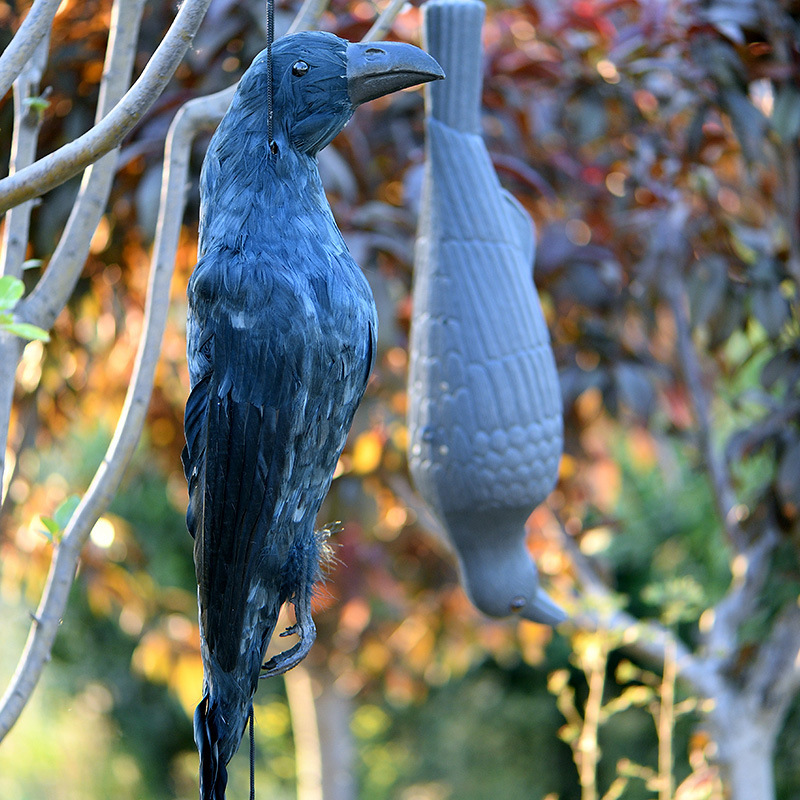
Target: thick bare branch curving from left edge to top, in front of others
<point>59,166</point>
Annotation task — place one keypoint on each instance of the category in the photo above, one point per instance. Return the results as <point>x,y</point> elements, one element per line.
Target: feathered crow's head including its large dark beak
<point>319,79</point>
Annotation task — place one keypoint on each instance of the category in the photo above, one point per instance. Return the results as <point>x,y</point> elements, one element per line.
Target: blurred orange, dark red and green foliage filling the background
<point>610,121</point>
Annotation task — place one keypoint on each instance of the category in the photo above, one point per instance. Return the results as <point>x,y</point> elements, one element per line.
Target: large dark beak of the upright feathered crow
<point>378,68</point>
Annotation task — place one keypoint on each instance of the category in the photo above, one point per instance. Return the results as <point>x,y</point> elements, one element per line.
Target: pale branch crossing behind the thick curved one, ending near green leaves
<point>54,289</point>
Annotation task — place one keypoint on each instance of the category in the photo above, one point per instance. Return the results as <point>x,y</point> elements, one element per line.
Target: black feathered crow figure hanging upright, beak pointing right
<point>281,341</point>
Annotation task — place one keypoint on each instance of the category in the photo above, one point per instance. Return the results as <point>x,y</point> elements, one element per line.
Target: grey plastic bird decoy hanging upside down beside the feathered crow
<point>485,414</point>
